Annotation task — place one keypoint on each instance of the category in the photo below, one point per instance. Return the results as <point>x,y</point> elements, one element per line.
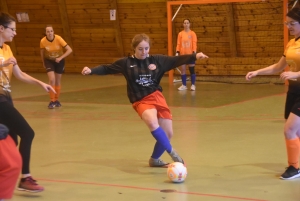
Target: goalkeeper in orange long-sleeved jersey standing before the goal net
<point>187,44</point>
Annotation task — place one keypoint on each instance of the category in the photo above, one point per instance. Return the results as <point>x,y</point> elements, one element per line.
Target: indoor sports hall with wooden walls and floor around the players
<point>229,131</point>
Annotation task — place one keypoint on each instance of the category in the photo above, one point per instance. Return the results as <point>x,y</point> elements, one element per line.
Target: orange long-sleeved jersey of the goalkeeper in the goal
<point>186,42</point>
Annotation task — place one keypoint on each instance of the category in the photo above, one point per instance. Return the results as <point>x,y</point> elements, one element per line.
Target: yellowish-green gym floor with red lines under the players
<point>96,147</point>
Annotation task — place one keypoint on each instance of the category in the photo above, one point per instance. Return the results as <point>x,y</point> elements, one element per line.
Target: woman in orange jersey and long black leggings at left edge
<point>9,115</point>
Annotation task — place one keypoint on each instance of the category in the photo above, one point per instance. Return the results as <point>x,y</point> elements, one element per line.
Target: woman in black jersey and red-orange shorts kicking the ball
<point>143,73</point>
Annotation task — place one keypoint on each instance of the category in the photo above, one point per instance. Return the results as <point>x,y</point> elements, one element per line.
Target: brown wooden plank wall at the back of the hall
<point>256,28</point>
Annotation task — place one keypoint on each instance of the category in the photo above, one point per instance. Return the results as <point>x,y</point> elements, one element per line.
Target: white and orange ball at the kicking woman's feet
<point>177,172</point>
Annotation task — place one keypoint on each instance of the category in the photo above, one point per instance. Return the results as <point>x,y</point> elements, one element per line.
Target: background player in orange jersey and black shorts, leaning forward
<point>54,50</point>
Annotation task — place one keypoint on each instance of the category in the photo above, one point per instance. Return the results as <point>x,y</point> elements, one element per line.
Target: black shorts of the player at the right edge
<point>292,104</point>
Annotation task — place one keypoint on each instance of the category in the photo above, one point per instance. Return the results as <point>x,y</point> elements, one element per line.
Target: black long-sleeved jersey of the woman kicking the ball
<point>143,76</point>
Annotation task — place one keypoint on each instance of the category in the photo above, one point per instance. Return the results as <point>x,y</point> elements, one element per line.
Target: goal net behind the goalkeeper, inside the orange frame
<point>238,37</point>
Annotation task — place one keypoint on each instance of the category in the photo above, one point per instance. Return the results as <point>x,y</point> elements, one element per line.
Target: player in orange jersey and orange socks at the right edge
<point>292,112</point>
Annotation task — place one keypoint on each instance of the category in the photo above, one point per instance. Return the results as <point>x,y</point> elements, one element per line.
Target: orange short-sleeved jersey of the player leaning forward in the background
<point>53,49</point>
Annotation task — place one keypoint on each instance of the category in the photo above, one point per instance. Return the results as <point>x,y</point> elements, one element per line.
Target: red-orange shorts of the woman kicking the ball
<point>155,100</point>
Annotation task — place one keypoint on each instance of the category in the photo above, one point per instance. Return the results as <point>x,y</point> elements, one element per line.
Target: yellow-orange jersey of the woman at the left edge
<point>5,72</point>
